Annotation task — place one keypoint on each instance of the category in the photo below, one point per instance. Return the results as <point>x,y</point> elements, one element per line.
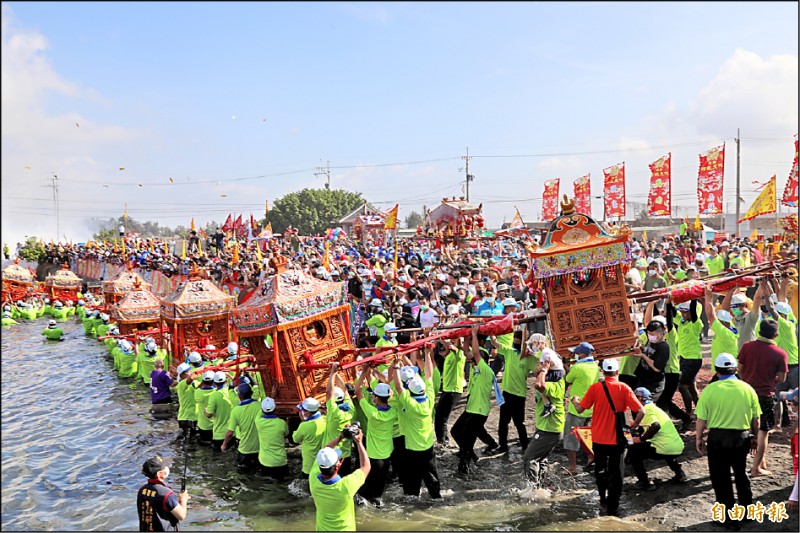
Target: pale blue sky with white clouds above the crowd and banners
<point>213,94</point>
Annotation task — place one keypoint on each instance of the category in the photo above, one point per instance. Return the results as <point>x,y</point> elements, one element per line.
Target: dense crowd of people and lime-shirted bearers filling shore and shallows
<point>394,420</point>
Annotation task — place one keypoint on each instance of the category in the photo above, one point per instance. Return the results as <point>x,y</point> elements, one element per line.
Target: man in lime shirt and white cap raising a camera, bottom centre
<point>332,493</point>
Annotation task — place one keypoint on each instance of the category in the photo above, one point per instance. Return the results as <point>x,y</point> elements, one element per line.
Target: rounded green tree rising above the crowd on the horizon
<point>311,211</point>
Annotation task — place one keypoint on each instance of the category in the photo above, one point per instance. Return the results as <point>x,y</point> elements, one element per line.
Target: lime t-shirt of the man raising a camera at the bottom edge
<point>334,503</point>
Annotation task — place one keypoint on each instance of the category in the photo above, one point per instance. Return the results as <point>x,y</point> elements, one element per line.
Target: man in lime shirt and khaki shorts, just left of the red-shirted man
<point>582,375</point>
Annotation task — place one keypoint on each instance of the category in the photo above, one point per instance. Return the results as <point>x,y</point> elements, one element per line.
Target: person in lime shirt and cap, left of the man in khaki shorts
<point>549,385</point>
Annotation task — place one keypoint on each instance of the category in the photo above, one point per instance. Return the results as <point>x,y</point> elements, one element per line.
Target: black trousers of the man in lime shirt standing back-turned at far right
<point>722,458</point>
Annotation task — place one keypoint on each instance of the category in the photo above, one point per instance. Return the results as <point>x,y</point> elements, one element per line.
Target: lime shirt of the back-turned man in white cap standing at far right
<point>728,404</point>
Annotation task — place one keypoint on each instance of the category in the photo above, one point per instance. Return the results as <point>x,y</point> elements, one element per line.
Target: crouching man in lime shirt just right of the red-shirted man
<point>660,440</point>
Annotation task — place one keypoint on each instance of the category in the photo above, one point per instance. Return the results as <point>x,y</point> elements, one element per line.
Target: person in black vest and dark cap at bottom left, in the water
<point>158,506</point>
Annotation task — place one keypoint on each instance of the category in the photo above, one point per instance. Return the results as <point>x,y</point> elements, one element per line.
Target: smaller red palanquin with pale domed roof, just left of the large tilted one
<point>197,314</point>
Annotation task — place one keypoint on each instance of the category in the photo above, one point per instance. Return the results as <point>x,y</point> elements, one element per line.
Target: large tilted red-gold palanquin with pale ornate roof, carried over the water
<point>308,320</point>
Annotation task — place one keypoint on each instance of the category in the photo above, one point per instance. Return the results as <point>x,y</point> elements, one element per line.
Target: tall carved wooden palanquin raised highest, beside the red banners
<point>581,268</point>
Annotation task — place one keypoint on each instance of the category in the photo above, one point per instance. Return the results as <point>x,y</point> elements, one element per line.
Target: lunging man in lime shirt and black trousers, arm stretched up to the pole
<point>470,425</point>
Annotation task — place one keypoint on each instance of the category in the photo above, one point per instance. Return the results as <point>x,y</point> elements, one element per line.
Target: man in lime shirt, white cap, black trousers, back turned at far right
<point>730,410</point>
